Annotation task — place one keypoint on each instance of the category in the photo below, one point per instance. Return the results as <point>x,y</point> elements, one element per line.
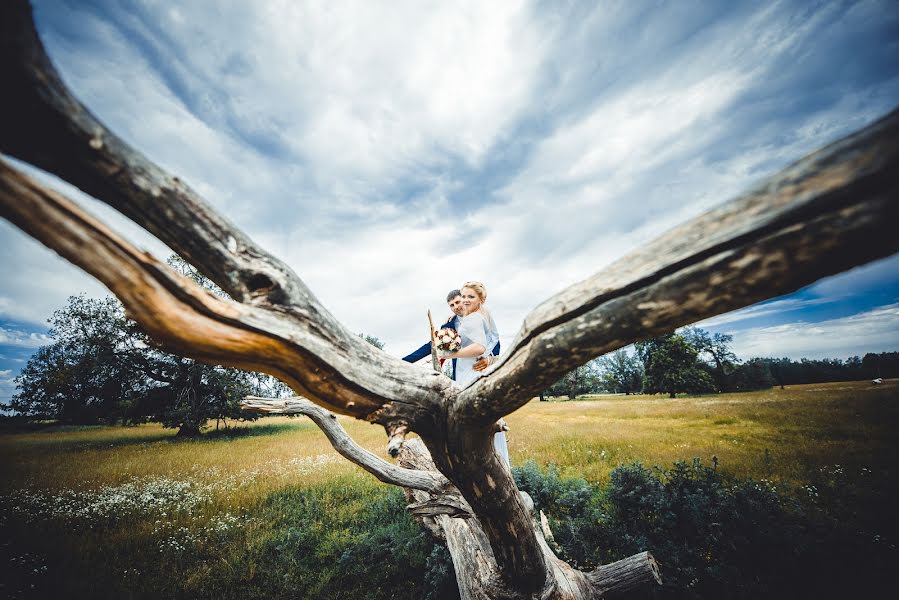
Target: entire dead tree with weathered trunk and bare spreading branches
<point>830,211</point>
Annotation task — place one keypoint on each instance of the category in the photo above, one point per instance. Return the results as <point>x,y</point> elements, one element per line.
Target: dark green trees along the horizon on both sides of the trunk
<point>101,368</point>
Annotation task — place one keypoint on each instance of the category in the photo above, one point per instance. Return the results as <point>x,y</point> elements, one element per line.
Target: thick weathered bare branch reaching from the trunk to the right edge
<point>833,210</point>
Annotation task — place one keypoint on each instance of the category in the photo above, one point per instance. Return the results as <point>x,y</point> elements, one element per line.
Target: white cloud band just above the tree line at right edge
<point>871,331</point>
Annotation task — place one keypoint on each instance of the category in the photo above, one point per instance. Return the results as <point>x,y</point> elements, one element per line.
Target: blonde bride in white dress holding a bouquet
<point>479,336</point>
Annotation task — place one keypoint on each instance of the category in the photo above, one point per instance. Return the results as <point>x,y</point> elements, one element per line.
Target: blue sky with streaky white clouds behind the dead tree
<point>389,151</point>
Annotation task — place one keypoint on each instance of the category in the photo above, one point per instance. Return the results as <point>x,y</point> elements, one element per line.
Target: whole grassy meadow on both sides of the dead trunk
<point>268,509</point>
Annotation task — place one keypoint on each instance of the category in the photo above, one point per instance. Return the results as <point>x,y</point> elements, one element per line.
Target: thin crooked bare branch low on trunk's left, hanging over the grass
<point>427,481</point>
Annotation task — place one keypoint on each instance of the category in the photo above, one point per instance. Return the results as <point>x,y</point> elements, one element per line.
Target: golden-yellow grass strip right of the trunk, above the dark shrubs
<point>780,433</point>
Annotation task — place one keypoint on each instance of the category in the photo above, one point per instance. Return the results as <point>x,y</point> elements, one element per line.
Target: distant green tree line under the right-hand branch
<point>695,361</point>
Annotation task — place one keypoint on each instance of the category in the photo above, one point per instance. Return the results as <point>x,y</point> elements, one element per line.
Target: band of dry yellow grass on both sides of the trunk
<point>774,433</point>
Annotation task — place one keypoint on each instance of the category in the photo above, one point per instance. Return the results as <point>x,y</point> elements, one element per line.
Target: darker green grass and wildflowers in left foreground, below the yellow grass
<point>340,540</point>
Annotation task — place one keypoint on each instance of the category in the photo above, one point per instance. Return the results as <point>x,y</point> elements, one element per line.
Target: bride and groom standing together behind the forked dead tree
<point>480,342</point>
